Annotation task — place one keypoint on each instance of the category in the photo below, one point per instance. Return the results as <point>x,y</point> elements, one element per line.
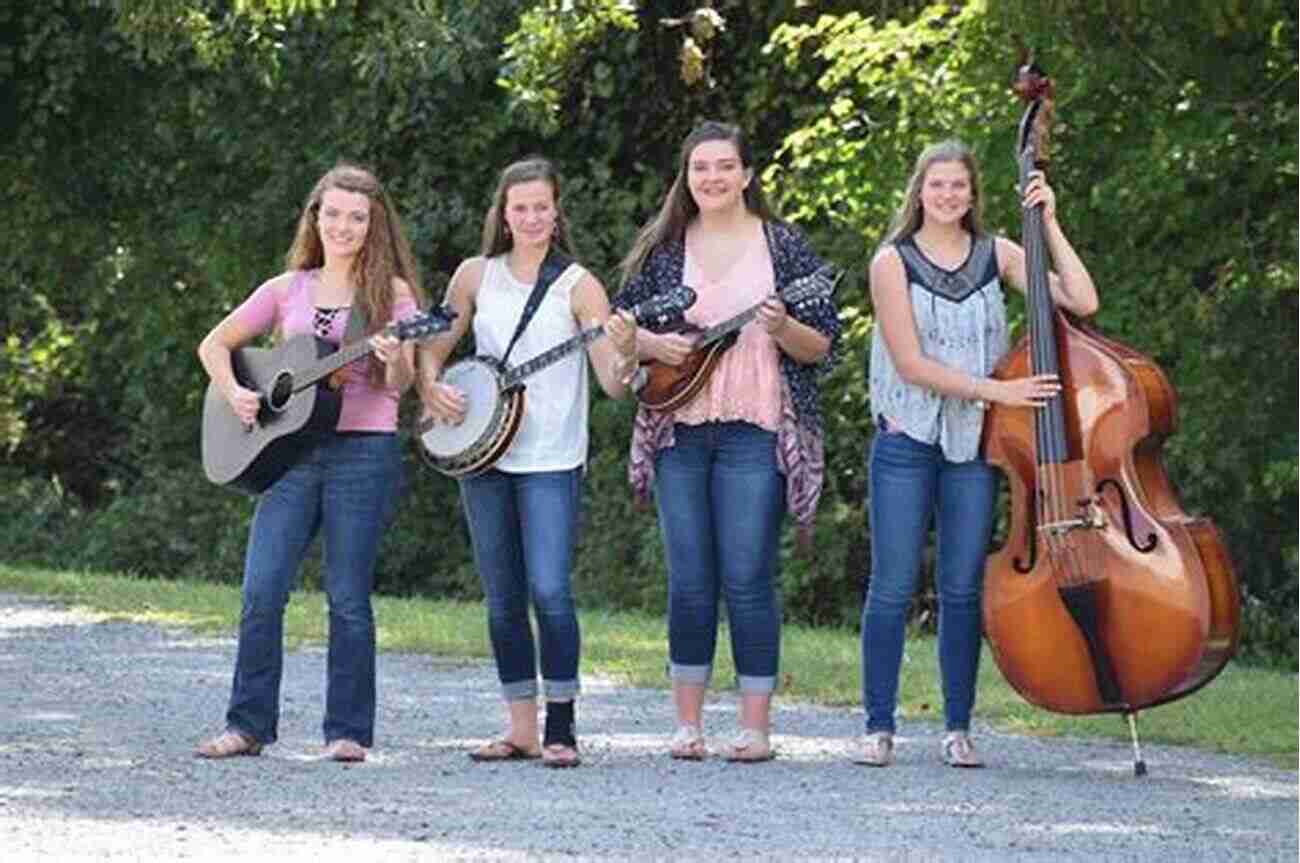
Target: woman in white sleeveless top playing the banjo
<point>523,511</point>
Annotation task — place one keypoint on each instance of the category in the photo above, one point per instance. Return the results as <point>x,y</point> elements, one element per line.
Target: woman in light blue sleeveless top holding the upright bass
<point>937,287</point>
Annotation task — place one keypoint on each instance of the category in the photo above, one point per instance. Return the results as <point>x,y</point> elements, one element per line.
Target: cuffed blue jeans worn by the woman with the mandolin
<point>721,501</point>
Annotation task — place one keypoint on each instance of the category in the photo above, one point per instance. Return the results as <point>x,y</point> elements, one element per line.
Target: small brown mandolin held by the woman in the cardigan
<point>670,387</point>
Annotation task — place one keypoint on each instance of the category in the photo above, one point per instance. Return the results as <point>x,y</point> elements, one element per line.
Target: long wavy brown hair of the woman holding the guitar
<point>384,255</point>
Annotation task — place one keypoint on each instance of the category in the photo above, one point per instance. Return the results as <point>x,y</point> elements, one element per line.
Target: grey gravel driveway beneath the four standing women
<point>98,722</point>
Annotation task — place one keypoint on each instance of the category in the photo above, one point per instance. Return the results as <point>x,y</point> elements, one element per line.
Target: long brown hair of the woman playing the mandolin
<point>679,207</point>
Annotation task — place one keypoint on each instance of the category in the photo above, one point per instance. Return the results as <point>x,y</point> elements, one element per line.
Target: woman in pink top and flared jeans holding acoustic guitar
<point>349,255</point>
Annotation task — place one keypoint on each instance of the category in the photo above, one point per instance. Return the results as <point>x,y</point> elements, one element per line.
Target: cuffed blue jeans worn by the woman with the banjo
<point>523,528</point>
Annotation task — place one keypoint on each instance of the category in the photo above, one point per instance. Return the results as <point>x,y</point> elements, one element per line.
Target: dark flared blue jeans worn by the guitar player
<point>344,488</point>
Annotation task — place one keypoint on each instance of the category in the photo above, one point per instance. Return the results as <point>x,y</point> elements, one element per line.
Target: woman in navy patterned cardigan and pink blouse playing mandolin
<point>717,462</point>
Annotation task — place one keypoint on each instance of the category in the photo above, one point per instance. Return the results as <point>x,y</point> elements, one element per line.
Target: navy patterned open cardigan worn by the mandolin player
<point>800,444</point>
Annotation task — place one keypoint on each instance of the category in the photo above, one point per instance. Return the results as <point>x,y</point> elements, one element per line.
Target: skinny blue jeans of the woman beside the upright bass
<point>912,482</point>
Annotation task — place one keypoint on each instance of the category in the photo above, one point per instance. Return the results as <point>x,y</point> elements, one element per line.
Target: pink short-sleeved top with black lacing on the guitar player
<point>289,311</point>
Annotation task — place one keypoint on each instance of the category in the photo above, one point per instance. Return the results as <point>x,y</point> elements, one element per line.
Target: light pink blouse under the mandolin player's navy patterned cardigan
<point>747,384</point>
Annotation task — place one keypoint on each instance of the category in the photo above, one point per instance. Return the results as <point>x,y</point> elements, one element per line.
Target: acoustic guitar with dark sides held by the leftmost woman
<point>300,398</point>
